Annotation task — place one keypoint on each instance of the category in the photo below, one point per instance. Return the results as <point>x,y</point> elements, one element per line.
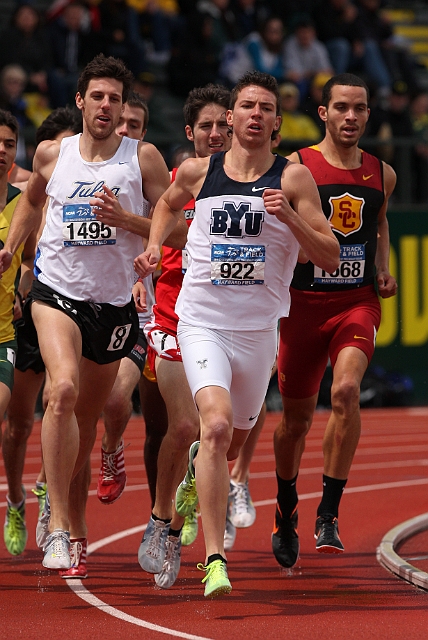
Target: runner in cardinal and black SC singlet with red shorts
<point>339,310</point>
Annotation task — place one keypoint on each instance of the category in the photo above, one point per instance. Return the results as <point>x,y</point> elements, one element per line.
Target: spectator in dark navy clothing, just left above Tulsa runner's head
<point>73,46</point>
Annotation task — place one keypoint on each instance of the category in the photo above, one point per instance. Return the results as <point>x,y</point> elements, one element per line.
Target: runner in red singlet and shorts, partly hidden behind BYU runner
<point>159,553</point>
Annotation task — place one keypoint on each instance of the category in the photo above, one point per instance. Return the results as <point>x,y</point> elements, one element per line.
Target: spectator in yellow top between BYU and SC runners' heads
<point>297,129</point>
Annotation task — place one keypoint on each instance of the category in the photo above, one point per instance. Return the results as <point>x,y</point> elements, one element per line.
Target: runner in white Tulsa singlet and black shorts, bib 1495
<point>81,301</point>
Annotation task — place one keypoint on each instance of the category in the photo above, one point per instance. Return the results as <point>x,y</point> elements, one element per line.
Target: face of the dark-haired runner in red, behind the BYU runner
<point>209,134</point>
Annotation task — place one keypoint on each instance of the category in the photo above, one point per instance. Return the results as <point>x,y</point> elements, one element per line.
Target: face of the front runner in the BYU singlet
<point>254,115</point>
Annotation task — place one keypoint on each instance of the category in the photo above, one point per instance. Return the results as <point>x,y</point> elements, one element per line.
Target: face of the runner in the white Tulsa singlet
<point>101,107</point>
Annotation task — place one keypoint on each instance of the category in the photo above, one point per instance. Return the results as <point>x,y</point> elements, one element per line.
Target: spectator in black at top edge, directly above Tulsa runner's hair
<point>119,34</point>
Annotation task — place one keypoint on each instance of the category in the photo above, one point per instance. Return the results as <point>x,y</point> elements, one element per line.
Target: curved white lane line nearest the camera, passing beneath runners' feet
<point>77,587</point>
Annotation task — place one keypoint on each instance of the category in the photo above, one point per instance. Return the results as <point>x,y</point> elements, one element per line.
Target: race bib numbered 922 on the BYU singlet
<point>235,264</point>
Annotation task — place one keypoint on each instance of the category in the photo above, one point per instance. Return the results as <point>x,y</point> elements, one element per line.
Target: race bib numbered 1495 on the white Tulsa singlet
<point>81,228</point>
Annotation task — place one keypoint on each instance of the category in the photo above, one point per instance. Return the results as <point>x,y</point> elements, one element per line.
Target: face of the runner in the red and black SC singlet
<point>346,115</point>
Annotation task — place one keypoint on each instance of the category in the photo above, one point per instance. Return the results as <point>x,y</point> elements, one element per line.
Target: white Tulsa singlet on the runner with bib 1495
<point>78,256</point>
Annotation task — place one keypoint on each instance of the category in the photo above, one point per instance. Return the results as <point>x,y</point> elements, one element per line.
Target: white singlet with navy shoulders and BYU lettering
<point>241,259</point>
